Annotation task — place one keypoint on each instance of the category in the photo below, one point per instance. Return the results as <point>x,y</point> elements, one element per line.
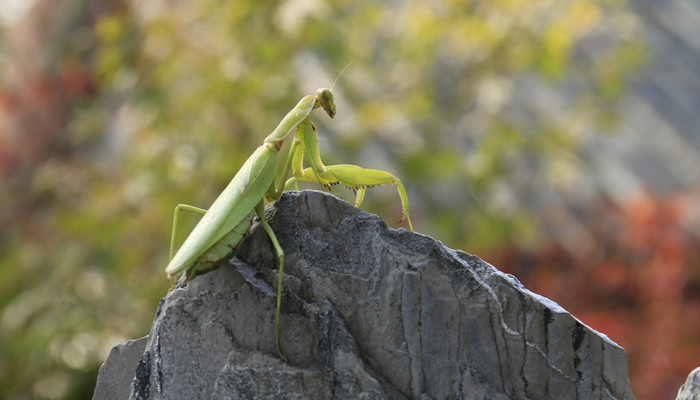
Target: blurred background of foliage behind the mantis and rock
<point>558,140</point>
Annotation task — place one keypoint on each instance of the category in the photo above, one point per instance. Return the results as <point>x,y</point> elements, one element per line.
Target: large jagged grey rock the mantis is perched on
<point>368,313</point>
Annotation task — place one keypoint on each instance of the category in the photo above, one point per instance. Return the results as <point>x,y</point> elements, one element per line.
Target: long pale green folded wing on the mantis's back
<point>234,206</point>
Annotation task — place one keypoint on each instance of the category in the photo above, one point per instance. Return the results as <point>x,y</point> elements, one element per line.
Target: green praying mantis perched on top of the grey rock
<point>263,177</point>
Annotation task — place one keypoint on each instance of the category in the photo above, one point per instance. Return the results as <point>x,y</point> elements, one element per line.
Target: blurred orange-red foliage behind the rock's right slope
<point>640,285</point>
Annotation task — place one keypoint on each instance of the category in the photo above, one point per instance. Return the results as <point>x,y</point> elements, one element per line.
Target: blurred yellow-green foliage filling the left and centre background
<point>113,112</point>
